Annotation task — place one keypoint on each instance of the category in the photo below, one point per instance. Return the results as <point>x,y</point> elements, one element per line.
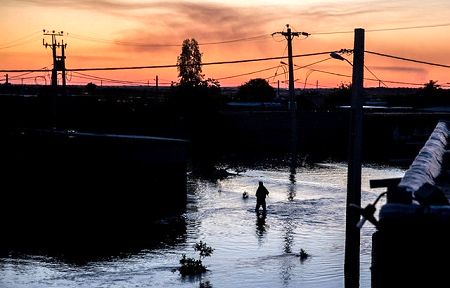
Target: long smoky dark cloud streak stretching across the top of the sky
<point>169,22</point>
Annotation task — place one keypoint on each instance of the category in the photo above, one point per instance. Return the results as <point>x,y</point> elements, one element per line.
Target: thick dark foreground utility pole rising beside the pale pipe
<point>352,232</point>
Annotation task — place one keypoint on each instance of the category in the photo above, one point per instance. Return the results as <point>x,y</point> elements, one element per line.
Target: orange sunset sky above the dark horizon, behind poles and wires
<point>120,33</point>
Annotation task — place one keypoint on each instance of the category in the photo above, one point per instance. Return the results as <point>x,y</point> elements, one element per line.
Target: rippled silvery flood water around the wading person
<point>305,210</point>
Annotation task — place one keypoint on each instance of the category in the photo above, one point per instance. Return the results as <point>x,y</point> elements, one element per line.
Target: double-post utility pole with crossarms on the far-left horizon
<point>59,62</point>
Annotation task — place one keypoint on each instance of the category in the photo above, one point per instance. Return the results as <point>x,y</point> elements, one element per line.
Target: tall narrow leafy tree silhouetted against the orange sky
<point>190,64</point>
